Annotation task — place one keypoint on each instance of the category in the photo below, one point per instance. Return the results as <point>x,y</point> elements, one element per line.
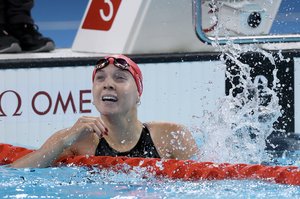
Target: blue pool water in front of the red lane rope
<point>81,182</point>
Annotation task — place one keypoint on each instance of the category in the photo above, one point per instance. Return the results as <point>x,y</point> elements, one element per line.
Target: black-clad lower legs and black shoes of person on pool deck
<point>18,31</point>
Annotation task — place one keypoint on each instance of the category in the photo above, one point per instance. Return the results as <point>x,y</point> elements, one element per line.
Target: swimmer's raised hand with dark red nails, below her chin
<point>85,125</point>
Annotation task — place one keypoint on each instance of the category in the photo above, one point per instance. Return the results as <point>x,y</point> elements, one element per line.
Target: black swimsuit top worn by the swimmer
<point>144,148</point>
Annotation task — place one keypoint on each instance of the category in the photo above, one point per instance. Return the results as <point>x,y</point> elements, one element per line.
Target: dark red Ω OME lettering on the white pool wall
<point>52,103</point>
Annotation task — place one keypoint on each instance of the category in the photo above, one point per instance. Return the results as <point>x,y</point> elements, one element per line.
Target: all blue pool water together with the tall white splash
<point>225,129</point>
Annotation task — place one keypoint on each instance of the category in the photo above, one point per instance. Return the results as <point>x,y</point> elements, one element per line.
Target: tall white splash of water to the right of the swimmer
<point>237,131</point>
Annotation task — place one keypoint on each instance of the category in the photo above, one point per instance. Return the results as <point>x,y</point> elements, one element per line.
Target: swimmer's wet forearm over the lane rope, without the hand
<point>54,148</point>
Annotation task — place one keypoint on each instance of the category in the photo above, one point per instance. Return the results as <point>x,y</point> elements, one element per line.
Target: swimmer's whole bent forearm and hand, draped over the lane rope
<point>57,145</point>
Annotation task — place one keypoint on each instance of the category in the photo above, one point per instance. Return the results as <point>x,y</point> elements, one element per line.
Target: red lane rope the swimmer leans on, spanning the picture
<point>175,169</point>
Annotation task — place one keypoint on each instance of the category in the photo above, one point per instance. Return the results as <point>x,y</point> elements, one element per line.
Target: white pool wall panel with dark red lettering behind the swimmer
<point>37,102</point>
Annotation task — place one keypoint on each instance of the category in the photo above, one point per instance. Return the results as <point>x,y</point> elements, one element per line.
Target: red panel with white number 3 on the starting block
<point>101,14</point>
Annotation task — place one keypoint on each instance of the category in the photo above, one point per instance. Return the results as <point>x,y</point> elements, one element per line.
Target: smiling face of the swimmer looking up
<point>114,91</point>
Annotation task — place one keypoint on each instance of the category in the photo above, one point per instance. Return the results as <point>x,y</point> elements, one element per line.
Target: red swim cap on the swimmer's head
<point>133,69</point>
